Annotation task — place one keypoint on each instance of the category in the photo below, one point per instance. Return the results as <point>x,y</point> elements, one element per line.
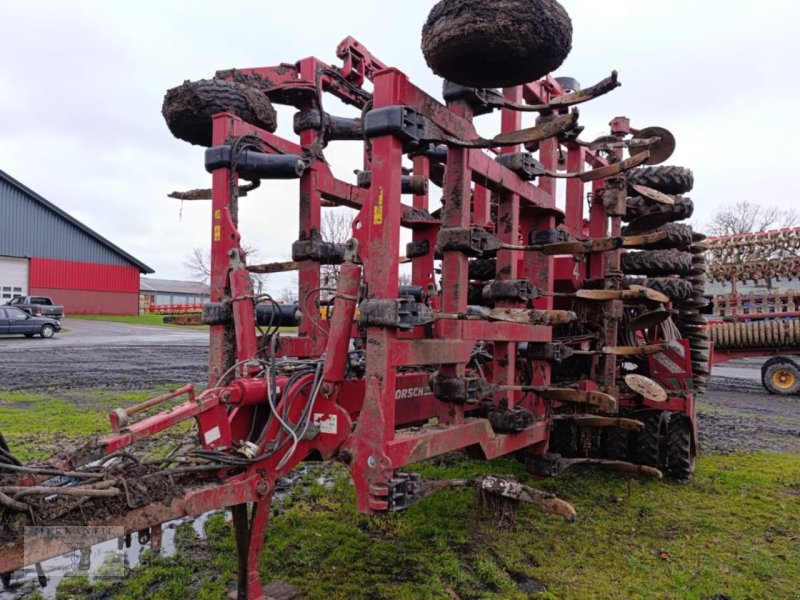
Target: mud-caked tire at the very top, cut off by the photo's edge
<point>496,44</point>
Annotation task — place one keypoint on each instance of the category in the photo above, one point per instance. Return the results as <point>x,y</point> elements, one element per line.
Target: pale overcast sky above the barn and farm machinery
<point>82,82</point>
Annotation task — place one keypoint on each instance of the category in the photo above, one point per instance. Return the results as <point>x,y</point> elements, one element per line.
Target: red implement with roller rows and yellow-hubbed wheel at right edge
<point>765,322</point>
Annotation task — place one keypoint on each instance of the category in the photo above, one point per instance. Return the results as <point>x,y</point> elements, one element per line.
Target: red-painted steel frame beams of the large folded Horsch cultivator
<point>371,416</point>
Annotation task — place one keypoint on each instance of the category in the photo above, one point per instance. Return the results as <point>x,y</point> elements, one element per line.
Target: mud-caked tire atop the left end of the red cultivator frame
<point>188,108</point>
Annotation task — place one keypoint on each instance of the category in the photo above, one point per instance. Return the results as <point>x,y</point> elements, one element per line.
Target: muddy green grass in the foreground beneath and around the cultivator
<point>733,531</point>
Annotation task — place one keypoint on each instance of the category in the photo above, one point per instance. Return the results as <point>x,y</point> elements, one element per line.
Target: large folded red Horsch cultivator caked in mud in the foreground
<point>564,328</point>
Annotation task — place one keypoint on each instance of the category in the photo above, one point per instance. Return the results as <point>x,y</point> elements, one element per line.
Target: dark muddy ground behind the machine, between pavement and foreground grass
<point>736,414</point>
